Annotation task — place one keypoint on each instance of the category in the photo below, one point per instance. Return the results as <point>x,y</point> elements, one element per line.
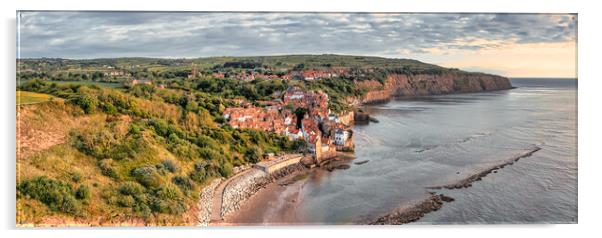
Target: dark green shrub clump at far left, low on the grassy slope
<point>58,196</point>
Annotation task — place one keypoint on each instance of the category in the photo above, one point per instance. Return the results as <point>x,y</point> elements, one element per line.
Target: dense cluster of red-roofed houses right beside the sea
<point>299,115</point>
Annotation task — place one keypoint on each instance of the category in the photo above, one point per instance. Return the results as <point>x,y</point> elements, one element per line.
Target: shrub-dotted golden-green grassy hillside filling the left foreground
<point>103,149</point>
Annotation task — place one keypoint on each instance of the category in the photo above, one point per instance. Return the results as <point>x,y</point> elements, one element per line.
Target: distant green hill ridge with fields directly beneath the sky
<point>282,62</point>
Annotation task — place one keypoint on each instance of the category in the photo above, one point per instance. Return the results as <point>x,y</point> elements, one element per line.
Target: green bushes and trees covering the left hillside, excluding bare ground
<point>148,158</point>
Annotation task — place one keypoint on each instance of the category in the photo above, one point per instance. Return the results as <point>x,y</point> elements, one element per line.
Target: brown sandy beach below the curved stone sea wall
<point>256,189</point>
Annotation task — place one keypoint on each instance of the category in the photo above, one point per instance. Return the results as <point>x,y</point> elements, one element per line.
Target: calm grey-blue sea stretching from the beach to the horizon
<point>436,140</point>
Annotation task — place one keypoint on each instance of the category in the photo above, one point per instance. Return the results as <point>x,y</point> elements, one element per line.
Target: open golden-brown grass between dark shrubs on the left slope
<point>62,162</point>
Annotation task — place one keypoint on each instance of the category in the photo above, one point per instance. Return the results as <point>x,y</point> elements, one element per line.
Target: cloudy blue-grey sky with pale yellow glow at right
<point>512,45</point>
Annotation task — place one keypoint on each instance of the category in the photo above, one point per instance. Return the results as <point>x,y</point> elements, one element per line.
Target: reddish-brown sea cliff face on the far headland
<point>430,84</point>
